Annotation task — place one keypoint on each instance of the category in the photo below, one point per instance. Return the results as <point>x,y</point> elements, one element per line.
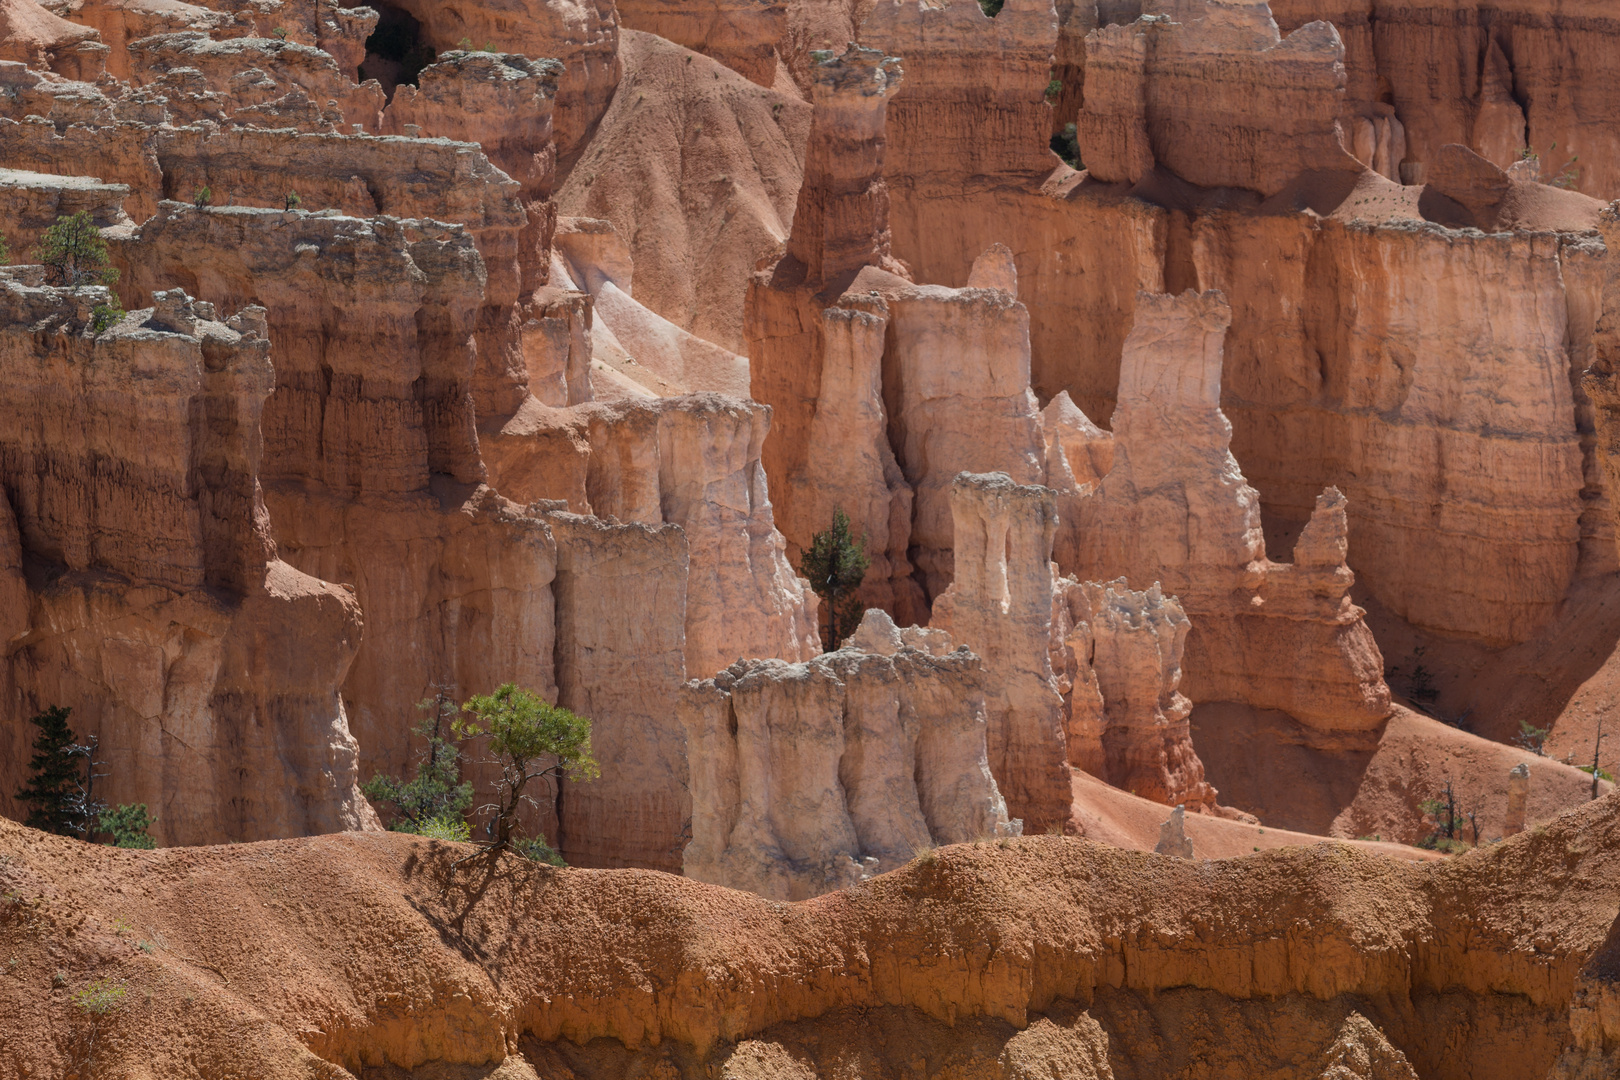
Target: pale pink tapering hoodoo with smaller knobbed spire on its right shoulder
<point>1175,509</point>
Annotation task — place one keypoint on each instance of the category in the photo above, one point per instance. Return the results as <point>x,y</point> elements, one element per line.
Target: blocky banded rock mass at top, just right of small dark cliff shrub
<point>1213,91</point>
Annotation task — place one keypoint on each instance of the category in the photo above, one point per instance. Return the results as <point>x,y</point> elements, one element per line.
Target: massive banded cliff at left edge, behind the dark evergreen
<point>155,603</point>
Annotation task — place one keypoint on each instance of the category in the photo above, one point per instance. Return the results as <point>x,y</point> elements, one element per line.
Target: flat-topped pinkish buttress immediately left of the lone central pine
<point>691,462</point>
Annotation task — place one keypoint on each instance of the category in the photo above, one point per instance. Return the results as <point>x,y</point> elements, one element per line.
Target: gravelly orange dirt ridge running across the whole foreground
<point>294,958</point>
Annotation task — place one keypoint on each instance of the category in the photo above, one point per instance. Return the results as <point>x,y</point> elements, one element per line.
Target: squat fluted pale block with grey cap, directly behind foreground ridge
<point>809,778</point>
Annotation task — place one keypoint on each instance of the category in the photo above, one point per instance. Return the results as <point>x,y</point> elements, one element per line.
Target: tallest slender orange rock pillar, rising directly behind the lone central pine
<point>821,367</point>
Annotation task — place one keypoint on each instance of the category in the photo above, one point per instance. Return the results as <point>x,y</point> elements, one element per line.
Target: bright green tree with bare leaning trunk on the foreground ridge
<point>529,739</point>
